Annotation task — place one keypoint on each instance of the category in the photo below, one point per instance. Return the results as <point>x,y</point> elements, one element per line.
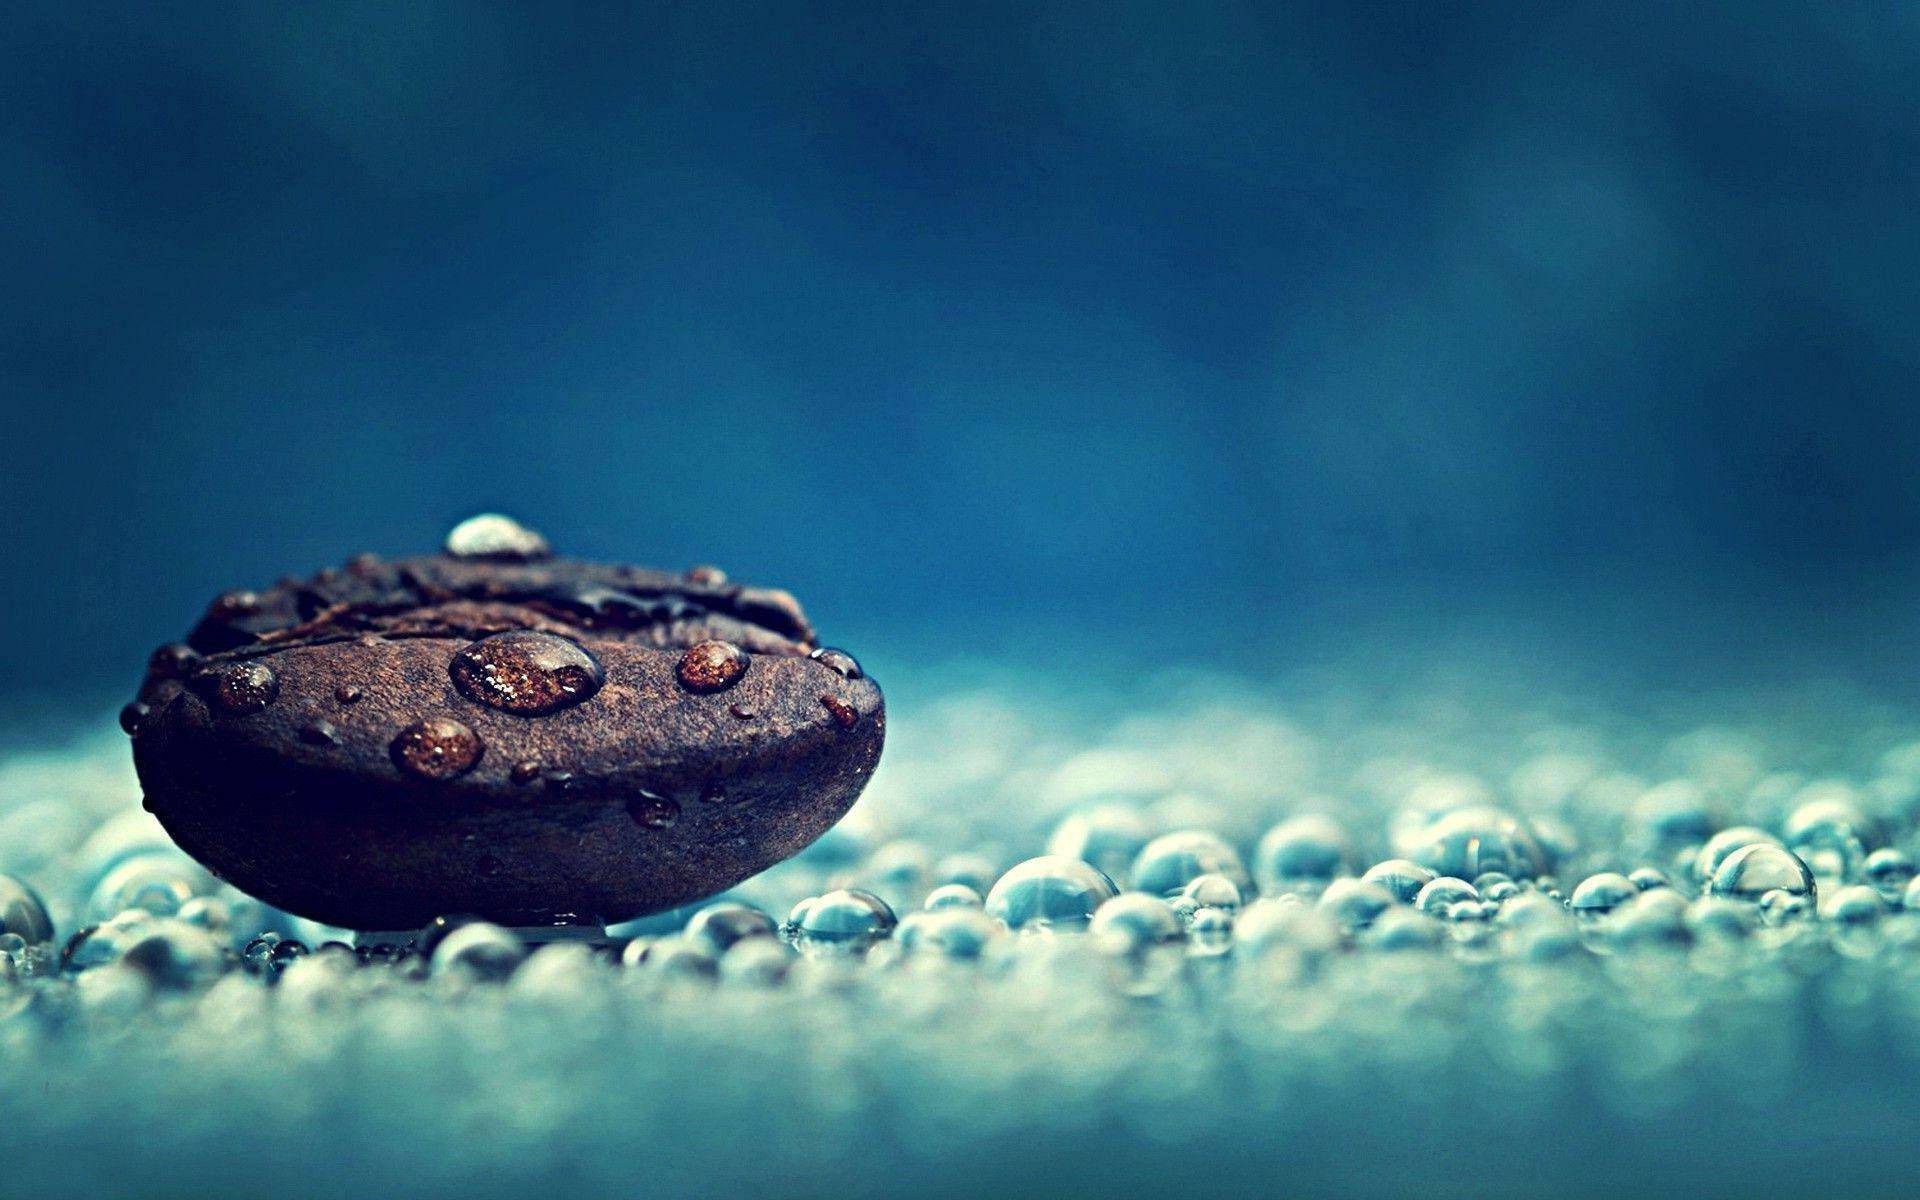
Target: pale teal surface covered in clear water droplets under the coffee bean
<point>1245,936</point>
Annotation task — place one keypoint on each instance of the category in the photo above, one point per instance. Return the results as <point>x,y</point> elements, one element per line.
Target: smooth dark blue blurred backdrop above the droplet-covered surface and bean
<point>974,327</point>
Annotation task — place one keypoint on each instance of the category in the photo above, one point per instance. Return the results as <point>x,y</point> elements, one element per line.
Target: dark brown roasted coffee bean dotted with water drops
<point>502,732</point>
